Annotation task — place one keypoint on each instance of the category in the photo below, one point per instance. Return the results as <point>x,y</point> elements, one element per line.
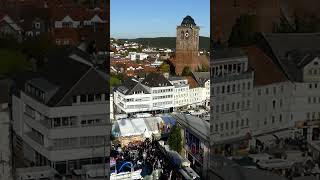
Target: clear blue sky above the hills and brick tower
<point>156,18</point>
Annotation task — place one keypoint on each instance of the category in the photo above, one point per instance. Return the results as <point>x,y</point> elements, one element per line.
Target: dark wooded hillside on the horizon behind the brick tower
<point>167,42</point>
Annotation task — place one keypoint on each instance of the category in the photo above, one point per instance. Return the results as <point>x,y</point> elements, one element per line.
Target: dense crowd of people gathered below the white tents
<point>146,156</point>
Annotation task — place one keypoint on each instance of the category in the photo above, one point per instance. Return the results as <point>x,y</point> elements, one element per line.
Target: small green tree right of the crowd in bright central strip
<point>175,139</point>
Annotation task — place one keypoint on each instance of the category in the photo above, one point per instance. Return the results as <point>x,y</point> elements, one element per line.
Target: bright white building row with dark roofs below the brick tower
<point>156,94</point>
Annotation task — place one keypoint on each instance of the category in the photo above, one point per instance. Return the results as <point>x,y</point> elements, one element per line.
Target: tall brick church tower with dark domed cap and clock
<point>187,46</point>
